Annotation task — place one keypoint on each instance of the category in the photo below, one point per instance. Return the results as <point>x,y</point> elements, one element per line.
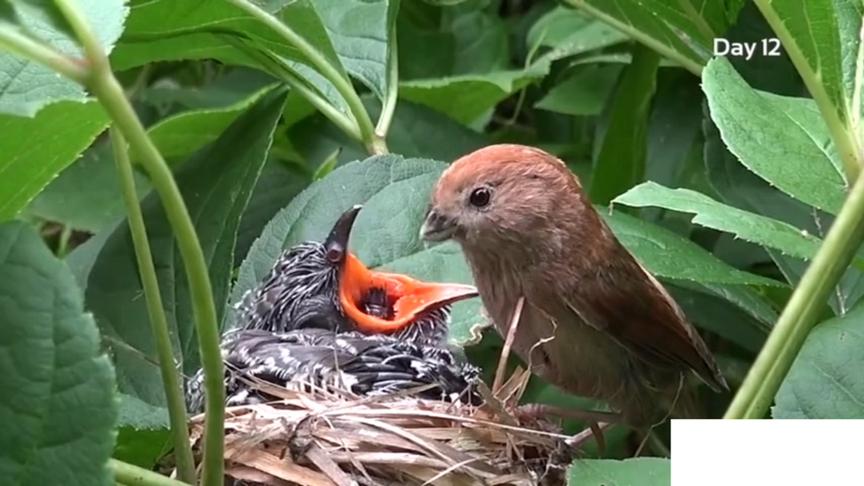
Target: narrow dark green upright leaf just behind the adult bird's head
<point>620,162</point>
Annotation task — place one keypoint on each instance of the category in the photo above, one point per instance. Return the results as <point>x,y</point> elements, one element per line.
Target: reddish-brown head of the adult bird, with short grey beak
<point>503,197</point>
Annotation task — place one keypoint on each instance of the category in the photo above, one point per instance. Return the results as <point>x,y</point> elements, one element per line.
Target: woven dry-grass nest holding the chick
<point>319,438</point>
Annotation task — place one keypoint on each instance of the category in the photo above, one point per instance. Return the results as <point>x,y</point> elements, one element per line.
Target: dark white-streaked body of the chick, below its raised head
<point>350,361</point>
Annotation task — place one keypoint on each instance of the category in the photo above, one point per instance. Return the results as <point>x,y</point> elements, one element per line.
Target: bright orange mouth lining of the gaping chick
<point>408,296</point>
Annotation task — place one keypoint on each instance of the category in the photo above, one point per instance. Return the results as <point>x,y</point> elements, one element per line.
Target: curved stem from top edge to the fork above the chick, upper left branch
<point>374,144</point>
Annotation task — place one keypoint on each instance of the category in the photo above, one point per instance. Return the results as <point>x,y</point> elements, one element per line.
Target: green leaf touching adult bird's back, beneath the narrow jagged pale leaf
<point>668,255</point>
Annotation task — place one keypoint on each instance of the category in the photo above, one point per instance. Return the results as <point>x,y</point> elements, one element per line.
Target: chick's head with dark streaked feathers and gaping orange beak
<point>324,285</point>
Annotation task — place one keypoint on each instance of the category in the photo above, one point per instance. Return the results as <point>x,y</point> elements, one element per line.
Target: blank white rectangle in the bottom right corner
<point>767,452</point>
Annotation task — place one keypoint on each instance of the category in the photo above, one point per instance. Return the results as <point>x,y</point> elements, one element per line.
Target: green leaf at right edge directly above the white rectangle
<point>825,380</point>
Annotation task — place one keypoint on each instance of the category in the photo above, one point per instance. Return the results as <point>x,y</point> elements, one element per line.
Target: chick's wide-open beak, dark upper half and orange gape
<point>406,296</point>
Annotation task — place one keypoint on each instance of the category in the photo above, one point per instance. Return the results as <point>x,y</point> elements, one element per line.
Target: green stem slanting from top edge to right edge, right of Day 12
<point>844,138</point>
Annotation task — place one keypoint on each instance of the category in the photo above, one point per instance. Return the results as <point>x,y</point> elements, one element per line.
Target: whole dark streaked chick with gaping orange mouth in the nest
<point>292,329</point>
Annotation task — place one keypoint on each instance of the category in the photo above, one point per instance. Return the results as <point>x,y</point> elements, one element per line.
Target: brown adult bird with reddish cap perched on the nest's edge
<point>594,321</point>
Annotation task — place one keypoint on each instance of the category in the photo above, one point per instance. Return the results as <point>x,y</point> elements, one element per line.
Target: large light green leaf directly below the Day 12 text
<point>783,140</point>
